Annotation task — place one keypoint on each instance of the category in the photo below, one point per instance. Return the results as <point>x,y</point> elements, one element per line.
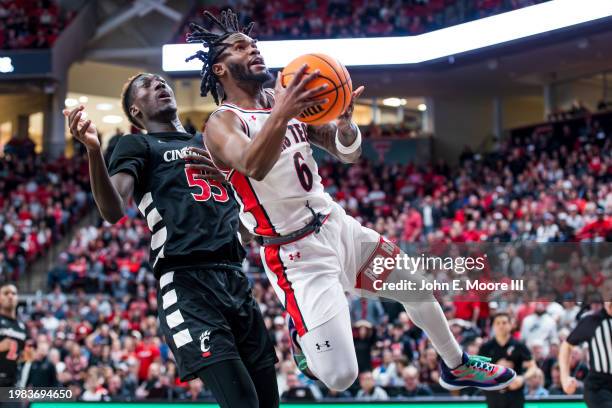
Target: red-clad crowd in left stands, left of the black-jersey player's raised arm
<point>39,200</point>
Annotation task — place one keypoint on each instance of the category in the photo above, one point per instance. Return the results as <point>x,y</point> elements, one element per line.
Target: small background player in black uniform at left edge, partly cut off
<point>12,335</point>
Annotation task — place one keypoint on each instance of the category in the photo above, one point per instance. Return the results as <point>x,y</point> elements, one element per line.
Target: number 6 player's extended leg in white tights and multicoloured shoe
<point>458,370</point>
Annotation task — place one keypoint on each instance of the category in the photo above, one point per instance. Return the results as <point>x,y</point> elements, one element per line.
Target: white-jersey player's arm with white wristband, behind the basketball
<point>340,139</point>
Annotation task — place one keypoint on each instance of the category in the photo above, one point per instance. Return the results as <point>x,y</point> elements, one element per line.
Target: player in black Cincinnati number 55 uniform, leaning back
<point>206,311</point>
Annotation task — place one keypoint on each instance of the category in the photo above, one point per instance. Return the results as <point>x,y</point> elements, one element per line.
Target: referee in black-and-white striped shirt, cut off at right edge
<point>596,329</point>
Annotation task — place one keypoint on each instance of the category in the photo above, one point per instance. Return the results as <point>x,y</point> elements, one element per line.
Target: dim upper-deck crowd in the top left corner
<point>31,24</point>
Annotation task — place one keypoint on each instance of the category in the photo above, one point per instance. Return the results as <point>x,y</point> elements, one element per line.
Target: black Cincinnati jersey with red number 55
<point>191,221</point>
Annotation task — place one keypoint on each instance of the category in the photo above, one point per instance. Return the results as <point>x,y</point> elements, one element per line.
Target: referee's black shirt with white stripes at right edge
<point>596,329</point>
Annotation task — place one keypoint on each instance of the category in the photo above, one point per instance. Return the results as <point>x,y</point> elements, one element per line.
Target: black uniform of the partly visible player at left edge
<point>15,332</point>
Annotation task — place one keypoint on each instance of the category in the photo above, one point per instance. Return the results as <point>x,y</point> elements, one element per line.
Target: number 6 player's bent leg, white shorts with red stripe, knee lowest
<point>305,277</point>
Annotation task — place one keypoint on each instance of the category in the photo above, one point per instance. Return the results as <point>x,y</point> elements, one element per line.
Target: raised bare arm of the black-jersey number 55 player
<point>110,193</point>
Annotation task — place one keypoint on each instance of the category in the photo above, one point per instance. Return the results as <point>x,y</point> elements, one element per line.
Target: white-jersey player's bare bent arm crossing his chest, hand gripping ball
<point>229,145</point>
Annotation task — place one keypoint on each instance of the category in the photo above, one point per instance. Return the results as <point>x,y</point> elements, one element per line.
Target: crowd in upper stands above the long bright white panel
<point>289,19</point>
